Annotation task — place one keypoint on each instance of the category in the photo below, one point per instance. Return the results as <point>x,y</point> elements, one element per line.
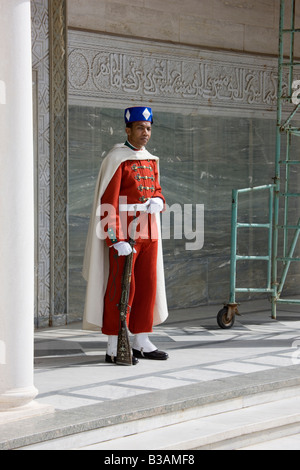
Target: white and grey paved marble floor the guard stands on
<point>70,371</point>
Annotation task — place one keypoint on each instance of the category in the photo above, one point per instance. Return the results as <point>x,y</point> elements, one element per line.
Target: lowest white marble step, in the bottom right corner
<point>229,430</point>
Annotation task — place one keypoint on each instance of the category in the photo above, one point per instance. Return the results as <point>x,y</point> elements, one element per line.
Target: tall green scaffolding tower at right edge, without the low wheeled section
<point>286,131</point>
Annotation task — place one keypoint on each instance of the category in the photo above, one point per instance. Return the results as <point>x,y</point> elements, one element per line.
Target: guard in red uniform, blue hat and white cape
<point>128,187</point>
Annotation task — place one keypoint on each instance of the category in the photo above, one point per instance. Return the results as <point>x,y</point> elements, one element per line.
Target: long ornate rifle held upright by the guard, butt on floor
<point>124,352</point>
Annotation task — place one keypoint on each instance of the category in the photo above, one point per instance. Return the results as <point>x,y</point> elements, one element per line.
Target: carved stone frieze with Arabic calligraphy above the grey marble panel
<point>103,68</point>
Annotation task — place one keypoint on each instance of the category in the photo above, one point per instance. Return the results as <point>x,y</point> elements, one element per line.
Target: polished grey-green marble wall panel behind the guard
<point>202,159</point>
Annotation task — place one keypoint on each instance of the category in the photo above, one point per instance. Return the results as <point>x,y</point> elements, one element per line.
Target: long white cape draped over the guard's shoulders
<point>96,259</point>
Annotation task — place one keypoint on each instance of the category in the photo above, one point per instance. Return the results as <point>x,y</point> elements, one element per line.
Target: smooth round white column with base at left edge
<point>16,207</point>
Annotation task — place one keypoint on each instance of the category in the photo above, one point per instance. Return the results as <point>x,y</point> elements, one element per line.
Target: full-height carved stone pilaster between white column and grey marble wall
<point>51,181</point>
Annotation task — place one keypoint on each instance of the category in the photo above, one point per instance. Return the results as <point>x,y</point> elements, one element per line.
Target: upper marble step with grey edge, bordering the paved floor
<point>95,424</point>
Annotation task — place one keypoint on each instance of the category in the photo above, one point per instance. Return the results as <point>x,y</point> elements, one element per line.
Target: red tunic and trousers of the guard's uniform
<point>135,182</point>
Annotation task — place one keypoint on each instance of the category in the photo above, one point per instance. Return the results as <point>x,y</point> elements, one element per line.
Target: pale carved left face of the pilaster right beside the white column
<point>41,66</point>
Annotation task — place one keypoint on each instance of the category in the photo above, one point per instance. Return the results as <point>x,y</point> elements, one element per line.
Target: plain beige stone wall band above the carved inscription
<point>240,25</point>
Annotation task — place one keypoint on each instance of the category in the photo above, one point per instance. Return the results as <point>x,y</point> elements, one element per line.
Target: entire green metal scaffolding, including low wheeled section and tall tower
<point>280,193</point>
